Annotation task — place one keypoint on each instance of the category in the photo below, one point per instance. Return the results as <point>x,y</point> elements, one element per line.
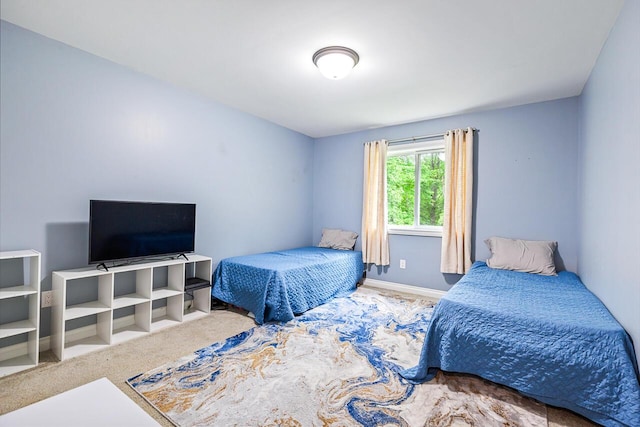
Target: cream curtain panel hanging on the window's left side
<point>375,243</point>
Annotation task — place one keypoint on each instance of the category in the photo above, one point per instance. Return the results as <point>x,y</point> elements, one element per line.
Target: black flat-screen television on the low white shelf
<point>120,230</point>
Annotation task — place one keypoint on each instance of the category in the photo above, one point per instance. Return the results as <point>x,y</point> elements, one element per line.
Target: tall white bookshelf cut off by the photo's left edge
<point>15,358</point>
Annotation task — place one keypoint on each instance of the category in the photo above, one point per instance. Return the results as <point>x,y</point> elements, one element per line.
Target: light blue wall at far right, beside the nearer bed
<point>609,230</point>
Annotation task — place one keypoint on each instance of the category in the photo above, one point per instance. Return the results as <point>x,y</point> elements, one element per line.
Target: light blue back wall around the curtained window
<point>526,185</point>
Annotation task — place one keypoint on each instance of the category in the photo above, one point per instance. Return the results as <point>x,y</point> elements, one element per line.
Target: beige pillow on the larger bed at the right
<point>528,256</point>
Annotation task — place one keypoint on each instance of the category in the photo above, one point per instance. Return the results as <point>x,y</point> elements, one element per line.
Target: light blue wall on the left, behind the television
<point>76,127</point>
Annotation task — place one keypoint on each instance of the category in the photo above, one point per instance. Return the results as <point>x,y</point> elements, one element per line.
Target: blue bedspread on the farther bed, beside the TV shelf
<point>276,285</point>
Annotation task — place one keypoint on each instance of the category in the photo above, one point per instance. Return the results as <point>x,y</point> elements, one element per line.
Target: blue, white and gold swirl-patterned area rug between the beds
<point>335,365</point>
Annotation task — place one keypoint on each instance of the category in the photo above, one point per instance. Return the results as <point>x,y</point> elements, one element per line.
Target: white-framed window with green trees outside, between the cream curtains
<point>415,188</point>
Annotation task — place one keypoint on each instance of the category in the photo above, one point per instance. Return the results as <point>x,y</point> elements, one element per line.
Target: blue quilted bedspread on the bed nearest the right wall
<point>546,336</point>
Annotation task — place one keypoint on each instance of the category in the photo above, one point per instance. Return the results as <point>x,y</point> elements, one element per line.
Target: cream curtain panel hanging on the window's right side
<point>458,202</point>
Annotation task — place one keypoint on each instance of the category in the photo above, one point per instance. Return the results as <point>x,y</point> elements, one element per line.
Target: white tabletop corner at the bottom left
<point>98,403</point>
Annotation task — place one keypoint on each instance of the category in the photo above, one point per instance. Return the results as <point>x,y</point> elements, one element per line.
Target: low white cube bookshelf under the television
<point>159,282</point>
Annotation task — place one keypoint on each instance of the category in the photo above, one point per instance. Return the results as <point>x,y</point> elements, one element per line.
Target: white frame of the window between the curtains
<point>436,145</point>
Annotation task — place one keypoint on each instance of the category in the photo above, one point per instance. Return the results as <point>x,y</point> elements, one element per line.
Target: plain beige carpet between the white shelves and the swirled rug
<point>122,361</point>
